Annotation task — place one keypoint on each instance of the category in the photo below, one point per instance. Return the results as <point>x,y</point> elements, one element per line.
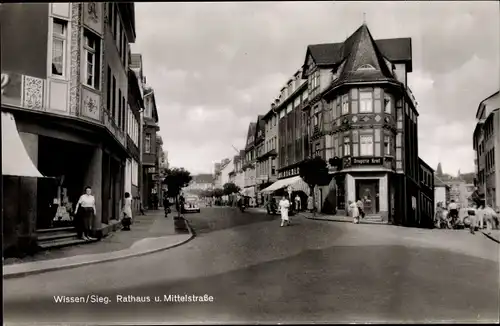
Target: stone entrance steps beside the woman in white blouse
<point>58,238</point>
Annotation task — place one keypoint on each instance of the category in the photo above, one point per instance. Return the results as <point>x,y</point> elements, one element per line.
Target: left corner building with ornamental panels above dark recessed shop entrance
<point>70,117</point>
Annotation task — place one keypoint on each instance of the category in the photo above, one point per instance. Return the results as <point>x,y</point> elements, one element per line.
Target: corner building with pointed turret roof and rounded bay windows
<point>362,112</point>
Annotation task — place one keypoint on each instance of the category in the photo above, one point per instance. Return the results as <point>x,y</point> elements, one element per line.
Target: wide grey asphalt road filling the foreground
<point>256,271</point>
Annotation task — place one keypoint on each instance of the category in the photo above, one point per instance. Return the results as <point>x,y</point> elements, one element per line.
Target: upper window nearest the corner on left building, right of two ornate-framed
<point>92,52</point>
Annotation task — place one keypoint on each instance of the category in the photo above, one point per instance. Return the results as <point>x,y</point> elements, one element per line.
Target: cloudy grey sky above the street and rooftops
<point>216,66</point>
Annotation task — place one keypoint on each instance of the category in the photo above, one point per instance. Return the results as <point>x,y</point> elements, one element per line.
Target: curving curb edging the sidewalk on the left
<point>106,260</point>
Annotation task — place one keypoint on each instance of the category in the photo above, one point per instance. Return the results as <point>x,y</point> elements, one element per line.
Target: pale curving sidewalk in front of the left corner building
<point>150,233</point>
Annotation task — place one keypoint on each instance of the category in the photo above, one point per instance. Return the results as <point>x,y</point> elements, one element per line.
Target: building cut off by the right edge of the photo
<point>486,142</point>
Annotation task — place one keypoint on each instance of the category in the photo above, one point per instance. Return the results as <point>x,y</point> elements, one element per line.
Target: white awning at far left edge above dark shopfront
<point>15,159</point>
